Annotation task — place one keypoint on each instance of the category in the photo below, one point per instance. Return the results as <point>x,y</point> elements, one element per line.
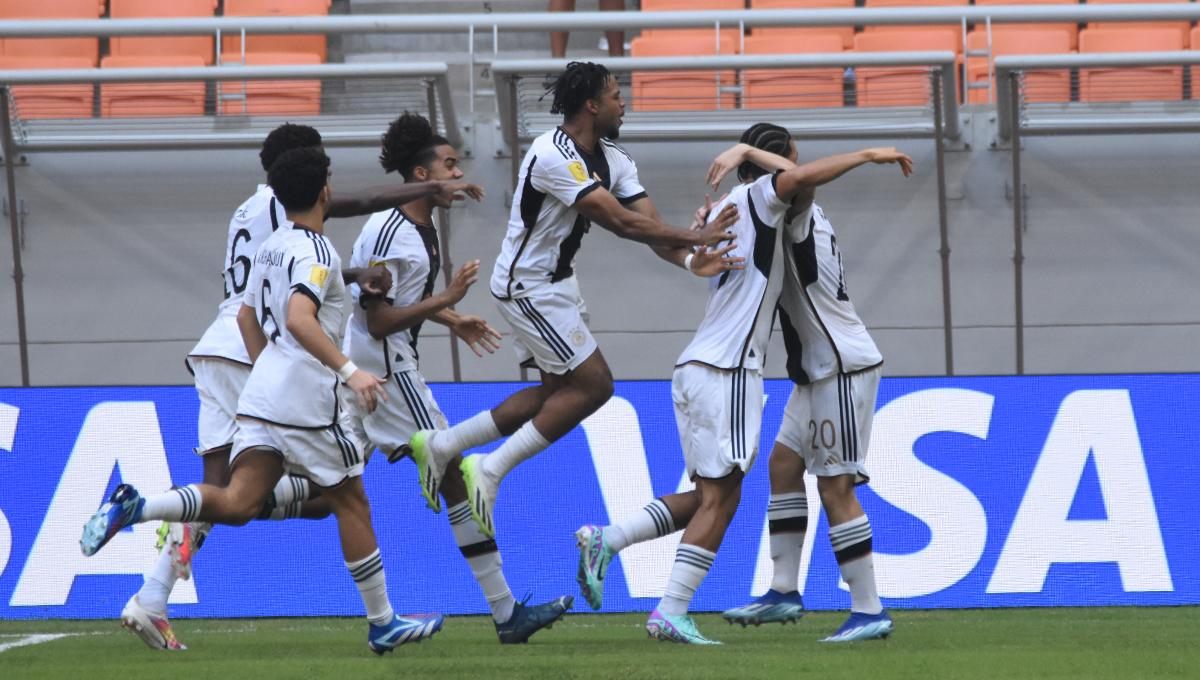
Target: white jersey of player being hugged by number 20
<point>741,306</point>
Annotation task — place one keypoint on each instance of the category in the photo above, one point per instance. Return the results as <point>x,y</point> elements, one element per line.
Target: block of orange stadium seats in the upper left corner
<point>163,99</point>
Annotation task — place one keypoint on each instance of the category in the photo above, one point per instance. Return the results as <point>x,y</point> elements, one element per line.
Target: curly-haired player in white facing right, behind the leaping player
<point>383,339</point>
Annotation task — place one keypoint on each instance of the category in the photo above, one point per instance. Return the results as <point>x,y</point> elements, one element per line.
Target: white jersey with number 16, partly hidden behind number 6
<point>255,220</point>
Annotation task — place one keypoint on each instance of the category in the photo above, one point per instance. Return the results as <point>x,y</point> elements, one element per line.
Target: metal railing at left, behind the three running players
<point>197,133</point>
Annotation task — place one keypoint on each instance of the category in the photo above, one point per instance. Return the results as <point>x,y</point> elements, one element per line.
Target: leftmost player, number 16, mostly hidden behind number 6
<point>220,364</point>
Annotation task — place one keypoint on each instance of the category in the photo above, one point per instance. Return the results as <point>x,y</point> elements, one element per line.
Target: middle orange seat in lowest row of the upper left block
<point>151,100</point>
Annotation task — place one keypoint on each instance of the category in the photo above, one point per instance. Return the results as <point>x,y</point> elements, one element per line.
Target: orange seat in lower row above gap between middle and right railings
<point>1040,86</point>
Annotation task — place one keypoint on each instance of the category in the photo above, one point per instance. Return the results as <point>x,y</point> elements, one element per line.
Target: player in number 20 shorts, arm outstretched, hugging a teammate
<point>836,369</point>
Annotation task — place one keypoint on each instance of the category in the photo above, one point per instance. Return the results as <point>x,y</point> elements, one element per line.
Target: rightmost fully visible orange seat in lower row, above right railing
<point>1130,85</point>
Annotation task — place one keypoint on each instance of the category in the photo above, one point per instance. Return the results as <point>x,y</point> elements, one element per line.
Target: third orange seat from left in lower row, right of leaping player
<point>902,86</point>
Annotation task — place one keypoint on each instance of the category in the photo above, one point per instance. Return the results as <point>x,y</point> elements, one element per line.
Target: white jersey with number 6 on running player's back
<point>289,386</point>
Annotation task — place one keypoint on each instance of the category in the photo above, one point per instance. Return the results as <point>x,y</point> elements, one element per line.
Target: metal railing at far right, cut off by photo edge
<point>1019,119</point>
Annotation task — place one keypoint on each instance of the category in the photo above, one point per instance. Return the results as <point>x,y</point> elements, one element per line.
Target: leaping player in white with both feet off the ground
<point>572,177</point>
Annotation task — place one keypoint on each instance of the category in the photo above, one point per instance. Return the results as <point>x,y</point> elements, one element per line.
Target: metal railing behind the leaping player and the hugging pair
<point>938,122</point>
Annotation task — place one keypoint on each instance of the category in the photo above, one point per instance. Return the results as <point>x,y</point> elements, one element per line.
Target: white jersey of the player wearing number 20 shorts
<point>823,333</point>
